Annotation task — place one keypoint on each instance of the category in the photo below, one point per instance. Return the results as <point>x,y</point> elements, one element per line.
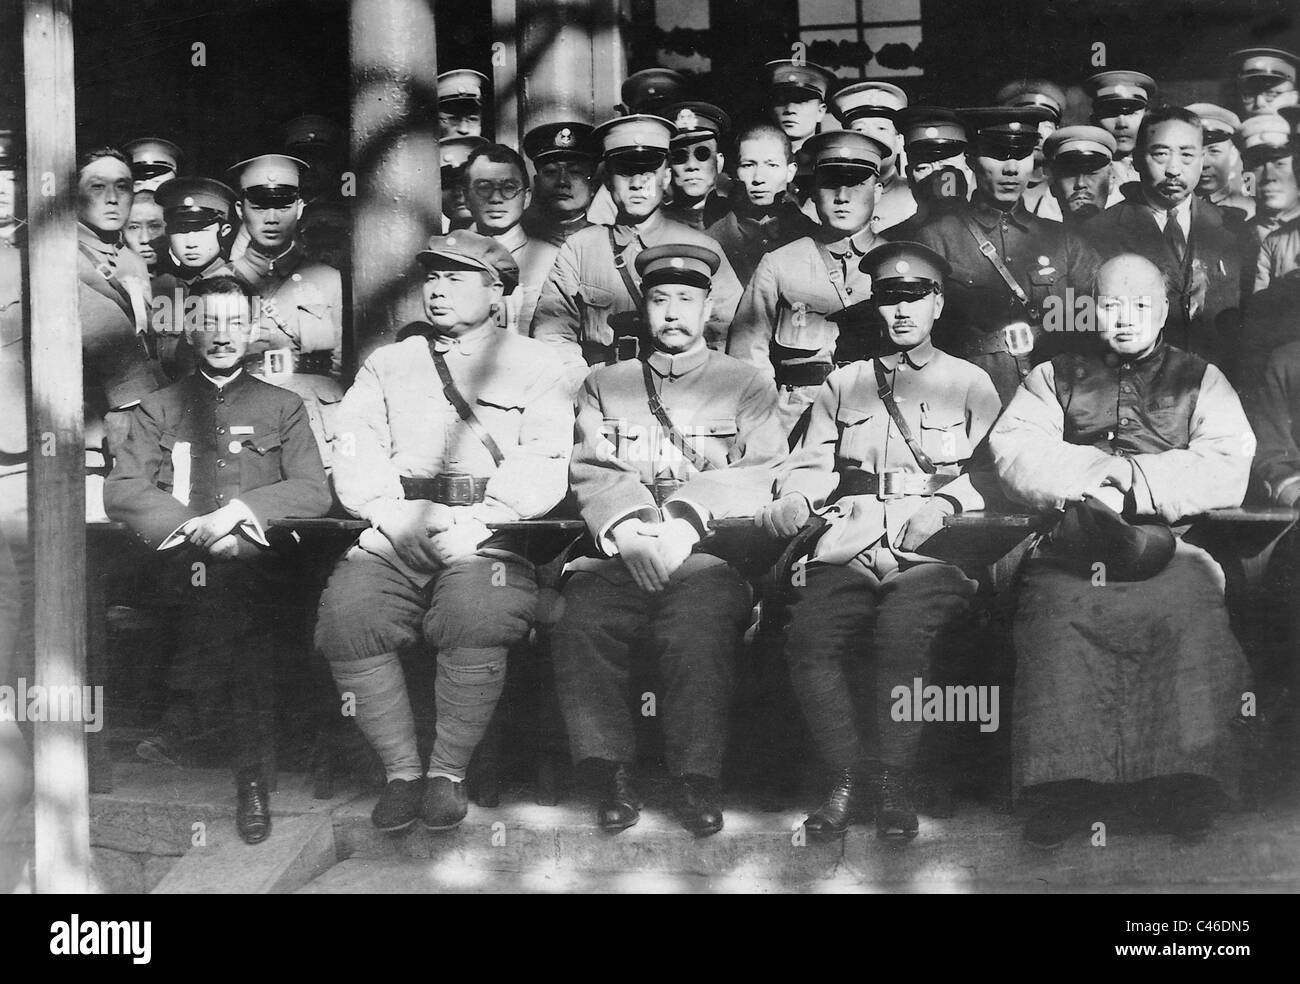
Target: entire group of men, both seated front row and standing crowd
<point>833,339</point>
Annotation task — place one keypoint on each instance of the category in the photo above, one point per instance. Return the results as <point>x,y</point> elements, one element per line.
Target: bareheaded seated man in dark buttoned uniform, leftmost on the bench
<point>206,465</point>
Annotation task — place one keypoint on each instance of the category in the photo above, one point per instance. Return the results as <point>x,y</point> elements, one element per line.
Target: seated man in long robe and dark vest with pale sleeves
<point>1126,669</point>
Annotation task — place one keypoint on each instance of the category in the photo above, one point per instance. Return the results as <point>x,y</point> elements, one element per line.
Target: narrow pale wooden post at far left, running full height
<point>58,460</point>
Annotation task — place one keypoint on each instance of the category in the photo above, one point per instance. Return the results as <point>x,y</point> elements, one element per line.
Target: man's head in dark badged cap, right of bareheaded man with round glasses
<point>565,171</point>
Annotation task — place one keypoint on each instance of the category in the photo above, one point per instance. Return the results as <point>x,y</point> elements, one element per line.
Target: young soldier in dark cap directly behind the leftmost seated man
<point>198,214</point>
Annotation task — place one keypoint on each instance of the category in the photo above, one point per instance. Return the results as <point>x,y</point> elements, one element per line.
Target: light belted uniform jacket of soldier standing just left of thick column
<point>298,313</point>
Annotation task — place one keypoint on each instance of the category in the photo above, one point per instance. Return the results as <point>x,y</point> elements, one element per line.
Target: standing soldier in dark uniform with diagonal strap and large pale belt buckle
<point>1006,263</point>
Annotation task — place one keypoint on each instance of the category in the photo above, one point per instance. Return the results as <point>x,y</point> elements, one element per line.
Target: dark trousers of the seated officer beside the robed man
<point>852,639</point>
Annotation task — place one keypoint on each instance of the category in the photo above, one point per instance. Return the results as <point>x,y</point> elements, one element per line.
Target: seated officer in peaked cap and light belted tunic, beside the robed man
<point>883,461</point>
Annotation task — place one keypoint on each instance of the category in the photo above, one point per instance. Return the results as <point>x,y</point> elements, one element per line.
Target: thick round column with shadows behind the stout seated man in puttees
<point>396,157</point>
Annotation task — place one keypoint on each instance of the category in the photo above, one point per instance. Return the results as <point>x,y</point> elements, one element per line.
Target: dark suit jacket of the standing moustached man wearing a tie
<point>1204,304</point>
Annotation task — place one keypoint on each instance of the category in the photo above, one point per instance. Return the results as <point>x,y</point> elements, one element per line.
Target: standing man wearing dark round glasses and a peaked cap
<point>696,163</point>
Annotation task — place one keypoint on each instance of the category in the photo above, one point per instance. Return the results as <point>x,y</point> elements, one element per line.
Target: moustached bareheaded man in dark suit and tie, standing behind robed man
<point>1197,245</point>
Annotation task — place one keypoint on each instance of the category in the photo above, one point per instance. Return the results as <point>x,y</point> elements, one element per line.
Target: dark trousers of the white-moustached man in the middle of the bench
<point>694,627</point>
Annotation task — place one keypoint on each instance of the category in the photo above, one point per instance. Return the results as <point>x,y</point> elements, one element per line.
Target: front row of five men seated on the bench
<point>463,426</point>
